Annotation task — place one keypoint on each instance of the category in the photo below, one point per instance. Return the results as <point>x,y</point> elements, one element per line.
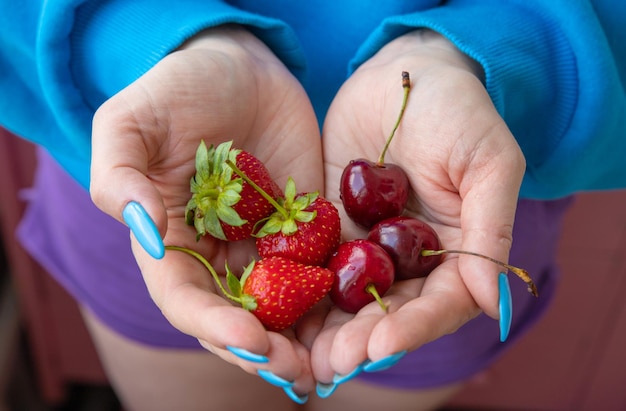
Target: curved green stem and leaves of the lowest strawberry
<point>235,285</point>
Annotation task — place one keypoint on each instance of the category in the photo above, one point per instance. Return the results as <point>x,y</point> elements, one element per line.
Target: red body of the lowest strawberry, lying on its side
<point>282,290</point>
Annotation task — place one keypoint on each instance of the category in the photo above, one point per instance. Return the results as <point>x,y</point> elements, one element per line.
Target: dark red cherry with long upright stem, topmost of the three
<point>373,191</point>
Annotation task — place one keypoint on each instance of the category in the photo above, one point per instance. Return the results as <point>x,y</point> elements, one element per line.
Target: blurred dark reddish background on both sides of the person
<point>574,359</point>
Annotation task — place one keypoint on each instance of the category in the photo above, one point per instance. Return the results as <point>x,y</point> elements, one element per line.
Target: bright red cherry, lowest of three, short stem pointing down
<point>363,272</point>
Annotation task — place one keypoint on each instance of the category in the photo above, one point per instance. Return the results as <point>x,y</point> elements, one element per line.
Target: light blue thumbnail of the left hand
<point>144,229</point>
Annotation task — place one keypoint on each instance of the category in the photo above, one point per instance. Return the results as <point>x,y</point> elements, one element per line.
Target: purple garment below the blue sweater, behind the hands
<point>89,253</point>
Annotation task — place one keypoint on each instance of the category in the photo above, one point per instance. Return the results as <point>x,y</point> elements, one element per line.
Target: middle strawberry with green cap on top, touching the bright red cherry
<point>305,228</point>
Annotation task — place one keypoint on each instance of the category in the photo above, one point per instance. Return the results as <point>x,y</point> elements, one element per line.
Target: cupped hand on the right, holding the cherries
<point>465,170</point>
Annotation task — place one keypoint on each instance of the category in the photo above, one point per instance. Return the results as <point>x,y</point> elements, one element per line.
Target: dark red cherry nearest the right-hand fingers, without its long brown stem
<point>404,239</point>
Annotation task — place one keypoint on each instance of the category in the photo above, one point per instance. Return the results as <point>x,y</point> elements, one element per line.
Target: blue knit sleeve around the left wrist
<point>67,57</point>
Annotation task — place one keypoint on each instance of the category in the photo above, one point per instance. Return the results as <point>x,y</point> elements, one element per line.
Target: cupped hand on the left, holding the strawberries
<point>222,85</point>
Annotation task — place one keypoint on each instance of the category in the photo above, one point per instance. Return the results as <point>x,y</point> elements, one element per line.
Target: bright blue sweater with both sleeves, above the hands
<point>555,70</point>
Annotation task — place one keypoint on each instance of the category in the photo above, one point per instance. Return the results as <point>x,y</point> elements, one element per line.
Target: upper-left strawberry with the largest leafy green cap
<point>222,204</point>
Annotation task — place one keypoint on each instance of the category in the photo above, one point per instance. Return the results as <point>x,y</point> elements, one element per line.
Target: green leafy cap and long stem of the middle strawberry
<point>289,210</point>
